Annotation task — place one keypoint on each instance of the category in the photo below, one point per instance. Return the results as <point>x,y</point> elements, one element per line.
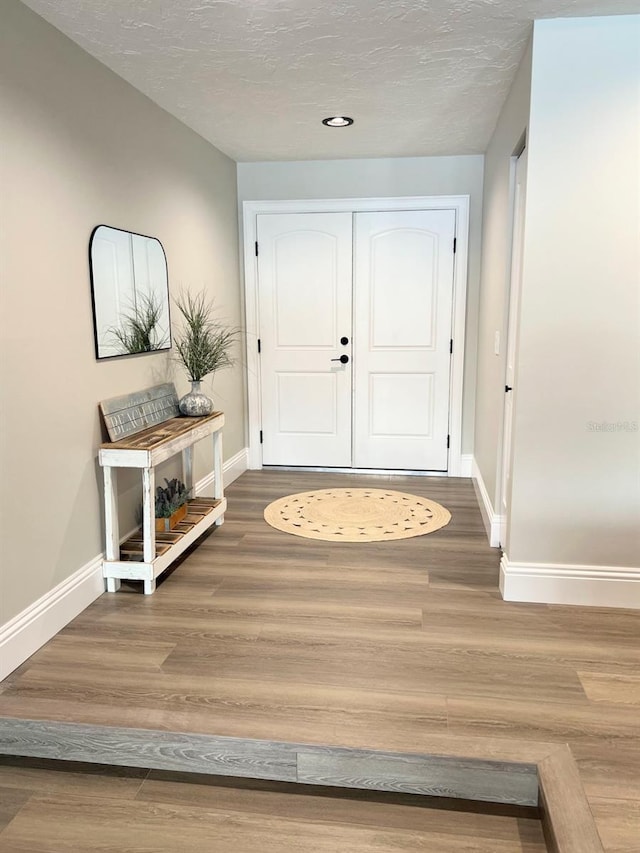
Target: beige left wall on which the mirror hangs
<point>81,147</point>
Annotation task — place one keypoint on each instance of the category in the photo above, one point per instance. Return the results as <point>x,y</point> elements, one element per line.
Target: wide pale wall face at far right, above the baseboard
<point>576,487</point>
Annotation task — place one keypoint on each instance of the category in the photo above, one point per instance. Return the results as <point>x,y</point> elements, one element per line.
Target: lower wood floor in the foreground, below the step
<point>83,809</point>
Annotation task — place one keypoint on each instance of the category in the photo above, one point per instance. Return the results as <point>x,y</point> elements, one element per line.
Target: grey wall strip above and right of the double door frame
<point>384,178</point>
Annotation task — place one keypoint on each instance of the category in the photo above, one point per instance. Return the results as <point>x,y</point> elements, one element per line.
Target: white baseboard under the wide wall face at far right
<point>548,583</point>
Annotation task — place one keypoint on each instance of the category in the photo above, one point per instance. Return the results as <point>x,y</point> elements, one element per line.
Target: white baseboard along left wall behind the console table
<point>37,624</point>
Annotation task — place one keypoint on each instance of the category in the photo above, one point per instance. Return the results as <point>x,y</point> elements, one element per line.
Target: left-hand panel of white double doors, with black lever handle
<point>305,293</point>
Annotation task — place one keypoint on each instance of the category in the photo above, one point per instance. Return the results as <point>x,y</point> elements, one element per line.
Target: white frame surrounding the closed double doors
<point>459,203</point>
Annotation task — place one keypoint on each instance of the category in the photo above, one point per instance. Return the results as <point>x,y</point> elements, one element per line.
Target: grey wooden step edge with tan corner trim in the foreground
<point>518,773</point>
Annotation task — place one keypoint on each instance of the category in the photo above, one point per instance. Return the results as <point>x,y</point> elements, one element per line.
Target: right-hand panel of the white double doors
<point>403,291</point>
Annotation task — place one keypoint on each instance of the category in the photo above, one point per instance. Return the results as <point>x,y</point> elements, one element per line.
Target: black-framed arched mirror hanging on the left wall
<point>130,291</point>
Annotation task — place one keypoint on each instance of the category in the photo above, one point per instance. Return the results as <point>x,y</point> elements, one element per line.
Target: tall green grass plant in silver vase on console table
<point>203,345</point>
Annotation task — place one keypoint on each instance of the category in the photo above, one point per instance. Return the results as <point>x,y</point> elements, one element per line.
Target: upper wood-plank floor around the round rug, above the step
<point>261,634</point>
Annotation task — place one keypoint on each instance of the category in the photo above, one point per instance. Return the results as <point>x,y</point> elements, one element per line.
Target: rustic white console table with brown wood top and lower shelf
<point>146,554</point>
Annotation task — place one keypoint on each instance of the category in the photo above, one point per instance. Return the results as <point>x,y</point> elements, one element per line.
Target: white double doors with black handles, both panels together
<point>355,330</point>
